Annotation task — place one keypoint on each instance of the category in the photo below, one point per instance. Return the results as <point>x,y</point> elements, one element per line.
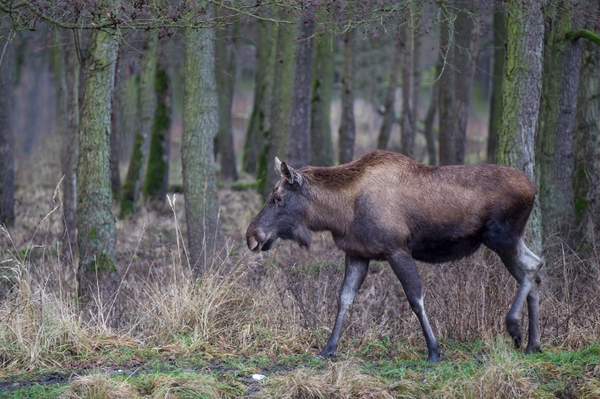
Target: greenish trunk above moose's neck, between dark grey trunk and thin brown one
<point>322,88</point>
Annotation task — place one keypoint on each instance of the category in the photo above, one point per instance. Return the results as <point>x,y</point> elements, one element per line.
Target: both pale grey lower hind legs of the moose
<point>524,266</point>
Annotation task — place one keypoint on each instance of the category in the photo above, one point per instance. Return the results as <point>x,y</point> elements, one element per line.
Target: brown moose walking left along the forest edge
<point>386,206</point>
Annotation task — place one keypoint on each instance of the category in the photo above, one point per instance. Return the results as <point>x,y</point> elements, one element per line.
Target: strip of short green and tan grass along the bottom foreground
<point>472,371</point>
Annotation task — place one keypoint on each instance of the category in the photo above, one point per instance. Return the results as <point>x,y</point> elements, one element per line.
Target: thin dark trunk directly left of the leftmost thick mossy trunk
<point>66,72</point>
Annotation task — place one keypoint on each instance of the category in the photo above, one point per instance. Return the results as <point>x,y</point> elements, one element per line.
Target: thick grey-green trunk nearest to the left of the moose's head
<point>200,125</point>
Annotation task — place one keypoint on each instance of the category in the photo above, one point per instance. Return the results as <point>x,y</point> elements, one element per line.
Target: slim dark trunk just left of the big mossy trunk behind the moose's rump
<point>497,78</point>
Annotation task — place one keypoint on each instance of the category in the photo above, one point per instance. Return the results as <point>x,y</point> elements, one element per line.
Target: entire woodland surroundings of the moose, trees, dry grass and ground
<point>137,142</point>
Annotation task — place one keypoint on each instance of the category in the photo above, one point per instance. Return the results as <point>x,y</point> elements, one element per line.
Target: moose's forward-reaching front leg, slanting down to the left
<point>356,271</point>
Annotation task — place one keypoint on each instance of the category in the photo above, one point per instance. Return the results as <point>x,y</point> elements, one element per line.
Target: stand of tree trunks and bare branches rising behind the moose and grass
<point>188,96</point>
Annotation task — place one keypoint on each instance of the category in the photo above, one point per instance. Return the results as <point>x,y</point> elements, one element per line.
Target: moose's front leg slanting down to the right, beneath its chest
<point>405,269</point>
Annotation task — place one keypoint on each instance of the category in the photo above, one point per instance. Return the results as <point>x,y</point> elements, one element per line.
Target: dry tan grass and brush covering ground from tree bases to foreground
<point>270,313</point>
